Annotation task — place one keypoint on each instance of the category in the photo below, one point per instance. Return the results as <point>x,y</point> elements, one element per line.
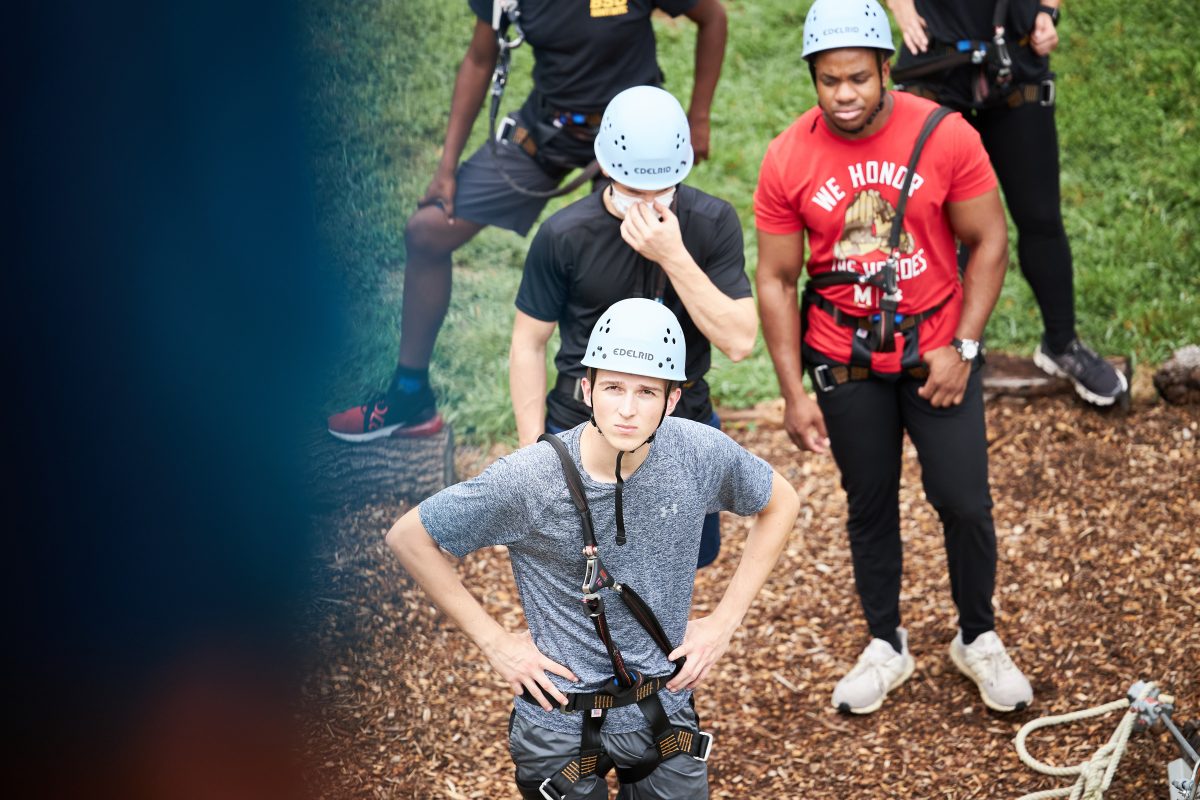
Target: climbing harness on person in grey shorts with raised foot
<point>511,130</point>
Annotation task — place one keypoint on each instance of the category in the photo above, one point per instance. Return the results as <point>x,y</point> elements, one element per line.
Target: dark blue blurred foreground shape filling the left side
<point>166,327</point>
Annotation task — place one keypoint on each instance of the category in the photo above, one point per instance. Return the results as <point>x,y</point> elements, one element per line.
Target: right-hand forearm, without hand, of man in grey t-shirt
<point>766,542</point>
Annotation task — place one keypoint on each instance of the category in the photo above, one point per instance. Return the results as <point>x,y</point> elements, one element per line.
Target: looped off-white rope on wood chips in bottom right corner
<point>1096,774</point>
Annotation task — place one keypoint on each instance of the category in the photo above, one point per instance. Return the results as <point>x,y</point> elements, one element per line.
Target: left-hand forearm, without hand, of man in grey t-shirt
<point>422,558</point>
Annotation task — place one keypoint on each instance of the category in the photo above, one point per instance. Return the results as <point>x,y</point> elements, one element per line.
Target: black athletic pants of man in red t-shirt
<point>866,422</point>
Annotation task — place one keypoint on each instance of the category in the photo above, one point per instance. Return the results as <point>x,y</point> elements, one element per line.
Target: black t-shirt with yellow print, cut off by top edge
<point>589,51</point>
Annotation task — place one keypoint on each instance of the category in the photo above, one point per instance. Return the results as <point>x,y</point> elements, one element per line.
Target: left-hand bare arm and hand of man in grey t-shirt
<point>513,655</point>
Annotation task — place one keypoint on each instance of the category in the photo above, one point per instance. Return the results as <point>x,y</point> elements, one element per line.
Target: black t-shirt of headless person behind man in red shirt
<point>952,21</point>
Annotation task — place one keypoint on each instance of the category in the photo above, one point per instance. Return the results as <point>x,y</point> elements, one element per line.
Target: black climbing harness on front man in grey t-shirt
<point>628,687</point>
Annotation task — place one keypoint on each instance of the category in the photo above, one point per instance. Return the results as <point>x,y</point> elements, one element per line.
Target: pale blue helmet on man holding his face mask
<point>645,141</point>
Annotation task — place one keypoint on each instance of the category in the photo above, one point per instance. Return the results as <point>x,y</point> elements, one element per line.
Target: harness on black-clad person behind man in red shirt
<point>994,76</point>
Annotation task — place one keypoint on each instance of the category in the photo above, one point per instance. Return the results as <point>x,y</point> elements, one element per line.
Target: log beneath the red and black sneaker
<point>392,470</point>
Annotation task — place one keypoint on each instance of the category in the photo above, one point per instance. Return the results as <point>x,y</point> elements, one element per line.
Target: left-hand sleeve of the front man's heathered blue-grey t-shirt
<point>484,512</point>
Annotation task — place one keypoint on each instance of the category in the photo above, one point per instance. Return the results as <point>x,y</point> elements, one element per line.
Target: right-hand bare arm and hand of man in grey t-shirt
<point>707,639</point>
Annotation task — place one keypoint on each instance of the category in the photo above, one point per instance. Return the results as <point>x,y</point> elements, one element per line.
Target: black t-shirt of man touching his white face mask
<point>579,266</point>
